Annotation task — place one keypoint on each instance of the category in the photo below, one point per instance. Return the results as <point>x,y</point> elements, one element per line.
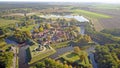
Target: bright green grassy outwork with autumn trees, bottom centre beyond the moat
<point>72,57</point>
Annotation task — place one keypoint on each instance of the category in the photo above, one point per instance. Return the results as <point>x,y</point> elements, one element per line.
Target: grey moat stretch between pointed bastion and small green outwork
<point>61,51</point>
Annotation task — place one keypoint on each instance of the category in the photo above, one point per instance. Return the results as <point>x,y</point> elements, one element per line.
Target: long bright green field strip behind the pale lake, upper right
<point>90,14</point>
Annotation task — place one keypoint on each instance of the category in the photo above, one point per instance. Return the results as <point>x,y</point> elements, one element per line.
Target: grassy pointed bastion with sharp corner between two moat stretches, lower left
<point>36,56</point>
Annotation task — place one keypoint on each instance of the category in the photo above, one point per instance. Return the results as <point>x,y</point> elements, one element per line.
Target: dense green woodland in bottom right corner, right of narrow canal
<point>106,57</point>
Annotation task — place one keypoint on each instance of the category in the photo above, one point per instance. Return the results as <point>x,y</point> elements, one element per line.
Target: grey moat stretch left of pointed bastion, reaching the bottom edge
<point>22,57</point>
